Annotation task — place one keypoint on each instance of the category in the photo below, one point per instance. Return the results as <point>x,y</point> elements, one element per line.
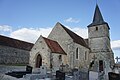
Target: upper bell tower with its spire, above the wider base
<point>98,33</point>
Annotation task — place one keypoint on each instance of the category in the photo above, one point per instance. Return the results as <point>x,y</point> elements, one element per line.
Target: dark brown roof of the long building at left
<point>6,41</point>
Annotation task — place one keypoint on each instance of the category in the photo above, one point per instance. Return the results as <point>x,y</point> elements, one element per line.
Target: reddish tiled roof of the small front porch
<point>54,46</point>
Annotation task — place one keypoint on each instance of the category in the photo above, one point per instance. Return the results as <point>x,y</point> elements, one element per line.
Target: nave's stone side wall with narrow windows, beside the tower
<point>83,57</point>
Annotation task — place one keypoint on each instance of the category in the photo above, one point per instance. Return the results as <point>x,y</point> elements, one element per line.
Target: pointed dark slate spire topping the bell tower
<point>97,19</point>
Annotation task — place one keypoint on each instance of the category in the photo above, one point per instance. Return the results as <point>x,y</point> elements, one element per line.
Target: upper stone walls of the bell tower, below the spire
<point>99,39</point>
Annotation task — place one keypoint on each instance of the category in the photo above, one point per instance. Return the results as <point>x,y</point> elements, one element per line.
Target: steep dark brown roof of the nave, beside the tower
<point>76,38</point>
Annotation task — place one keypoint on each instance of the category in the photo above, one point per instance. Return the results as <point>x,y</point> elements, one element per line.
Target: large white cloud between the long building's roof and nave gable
<point>30,34</point>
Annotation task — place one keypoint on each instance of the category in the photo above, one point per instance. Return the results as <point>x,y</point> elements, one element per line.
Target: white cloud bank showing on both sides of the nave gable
<point>32,34</point>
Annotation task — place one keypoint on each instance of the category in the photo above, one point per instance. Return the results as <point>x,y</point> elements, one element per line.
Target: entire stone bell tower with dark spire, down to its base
<point>99,43</point>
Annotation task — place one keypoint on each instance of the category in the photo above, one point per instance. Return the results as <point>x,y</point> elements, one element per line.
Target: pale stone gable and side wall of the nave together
<point>69,46</point>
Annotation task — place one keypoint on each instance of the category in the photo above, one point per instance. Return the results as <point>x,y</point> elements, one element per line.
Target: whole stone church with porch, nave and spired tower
<point>64,47</point>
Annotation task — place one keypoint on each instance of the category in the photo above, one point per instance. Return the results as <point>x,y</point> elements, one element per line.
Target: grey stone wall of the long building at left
<point>10,55</point>
